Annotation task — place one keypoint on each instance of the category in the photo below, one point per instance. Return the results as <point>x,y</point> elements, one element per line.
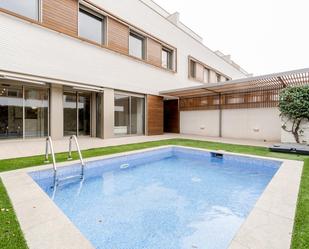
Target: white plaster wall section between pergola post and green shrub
<point>253,123</point>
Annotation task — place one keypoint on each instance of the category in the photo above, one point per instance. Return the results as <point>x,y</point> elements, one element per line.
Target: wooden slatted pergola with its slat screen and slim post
<point>254,92</point>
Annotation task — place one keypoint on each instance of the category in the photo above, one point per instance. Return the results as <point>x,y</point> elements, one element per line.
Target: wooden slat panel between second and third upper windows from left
<point>118,36</point>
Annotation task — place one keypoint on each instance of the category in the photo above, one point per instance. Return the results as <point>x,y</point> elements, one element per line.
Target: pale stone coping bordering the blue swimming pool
<point>269,224</point>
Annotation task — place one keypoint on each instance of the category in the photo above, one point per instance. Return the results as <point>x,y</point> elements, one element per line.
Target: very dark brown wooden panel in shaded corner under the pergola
<point>171,116</point>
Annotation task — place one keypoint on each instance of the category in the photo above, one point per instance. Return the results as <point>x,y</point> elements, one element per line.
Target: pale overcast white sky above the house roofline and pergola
<point>262,36</point>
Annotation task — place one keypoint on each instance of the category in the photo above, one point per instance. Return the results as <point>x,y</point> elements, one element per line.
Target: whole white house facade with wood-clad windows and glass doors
<point>93,68</point>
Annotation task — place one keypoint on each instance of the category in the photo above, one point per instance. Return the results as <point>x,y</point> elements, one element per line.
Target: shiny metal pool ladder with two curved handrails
<point>50,146</point>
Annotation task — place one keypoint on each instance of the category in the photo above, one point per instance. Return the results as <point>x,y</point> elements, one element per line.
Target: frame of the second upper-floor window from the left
<point>96,15</point>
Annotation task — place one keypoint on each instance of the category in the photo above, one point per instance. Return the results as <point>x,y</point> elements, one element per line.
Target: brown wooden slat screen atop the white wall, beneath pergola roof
<point>237,100</point>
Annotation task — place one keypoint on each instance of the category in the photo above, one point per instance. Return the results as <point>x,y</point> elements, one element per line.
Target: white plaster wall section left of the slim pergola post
<point>204,123</point>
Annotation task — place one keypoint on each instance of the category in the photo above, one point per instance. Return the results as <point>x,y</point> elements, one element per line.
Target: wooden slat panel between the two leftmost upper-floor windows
<point>61,15</point>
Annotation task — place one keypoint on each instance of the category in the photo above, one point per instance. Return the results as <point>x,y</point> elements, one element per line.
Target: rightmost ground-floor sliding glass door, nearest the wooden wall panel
<point>129,115</point>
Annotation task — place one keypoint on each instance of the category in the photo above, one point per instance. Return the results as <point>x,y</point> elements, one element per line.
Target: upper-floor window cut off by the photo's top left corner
<point>29,8</point>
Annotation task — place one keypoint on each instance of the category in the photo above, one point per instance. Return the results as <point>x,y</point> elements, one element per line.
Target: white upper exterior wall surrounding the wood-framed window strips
<point>31,49</point>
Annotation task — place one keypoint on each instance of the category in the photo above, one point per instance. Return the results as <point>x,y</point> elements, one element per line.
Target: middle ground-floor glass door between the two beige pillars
<point>76,113</point>
